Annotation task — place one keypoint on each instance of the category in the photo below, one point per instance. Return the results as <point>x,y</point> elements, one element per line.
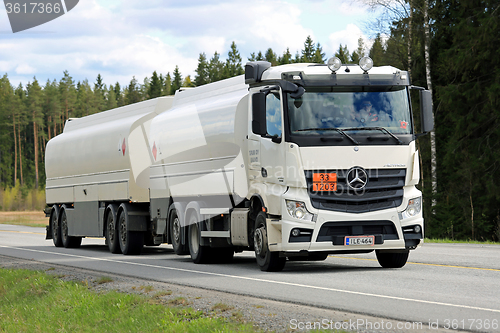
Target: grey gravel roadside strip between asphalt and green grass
<point>266,315</point>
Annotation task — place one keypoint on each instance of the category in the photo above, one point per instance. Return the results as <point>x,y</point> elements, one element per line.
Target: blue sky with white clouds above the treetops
<point>121,39</point>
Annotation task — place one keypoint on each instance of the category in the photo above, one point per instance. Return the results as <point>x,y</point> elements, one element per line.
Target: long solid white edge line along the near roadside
<point>262,280</point>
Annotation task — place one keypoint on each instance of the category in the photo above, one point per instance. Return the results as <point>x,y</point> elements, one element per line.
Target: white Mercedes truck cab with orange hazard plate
<point>334,161</point>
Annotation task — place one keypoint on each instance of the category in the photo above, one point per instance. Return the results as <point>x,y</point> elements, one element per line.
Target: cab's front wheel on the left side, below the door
<point>267,261</point>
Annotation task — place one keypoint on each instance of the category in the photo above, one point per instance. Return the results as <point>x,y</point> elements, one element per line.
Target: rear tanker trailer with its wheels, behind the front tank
<point>97,178</point>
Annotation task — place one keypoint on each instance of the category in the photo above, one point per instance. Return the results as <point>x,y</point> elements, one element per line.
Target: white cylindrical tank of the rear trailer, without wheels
<point>96,153</point>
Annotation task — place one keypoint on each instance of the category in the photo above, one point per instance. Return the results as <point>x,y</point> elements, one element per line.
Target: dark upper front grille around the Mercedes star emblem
<point>383,190</point>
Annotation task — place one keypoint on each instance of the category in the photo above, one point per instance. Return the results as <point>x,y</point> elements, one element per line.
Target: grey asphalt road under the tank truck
<point>454,286</point>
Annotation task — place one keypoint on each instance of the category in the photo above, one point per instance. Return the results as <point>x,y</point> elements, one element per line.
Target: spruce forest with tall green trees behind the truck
<point>450,47</point>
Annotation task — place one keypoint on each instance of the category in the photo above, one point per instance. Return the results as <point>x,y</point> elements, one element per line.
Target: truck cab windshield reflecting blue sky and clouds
<point>321,109</point>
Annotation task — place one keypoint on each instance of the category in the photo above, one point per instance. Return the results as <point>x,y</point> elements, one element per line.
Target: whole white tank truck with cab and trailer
<point>294,162</point>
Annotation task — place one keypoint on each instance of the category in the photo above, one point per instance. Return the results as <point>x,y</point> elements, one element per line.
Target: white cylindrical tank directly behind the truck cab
<point>197,145</point>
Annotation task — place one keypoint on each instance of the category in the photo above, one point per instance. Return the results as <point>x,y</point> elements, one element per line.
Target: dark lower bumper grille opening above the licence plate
<point>336,231</point>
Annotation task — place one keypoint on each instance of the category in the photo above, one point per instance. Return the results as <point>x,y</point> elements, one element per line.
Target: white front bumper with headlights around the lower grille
<point>327,233</point>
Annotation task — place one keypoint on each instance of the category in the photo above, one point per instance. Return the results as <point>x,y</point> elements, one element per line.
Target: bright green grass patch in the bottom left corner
<point>38,302</point>
